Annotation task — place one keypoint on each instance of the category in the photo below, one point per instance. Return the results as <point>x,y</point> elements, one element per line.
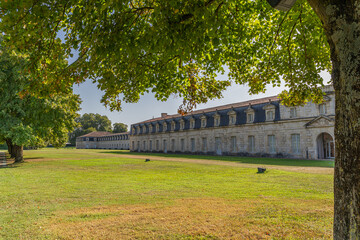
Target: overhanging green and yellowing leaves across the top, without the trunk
<point>169,47</point>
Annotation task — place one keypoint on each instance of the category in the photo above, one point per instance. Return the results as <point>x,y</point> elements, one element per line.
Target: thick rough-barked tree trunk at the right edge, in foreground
<point>340,19</point>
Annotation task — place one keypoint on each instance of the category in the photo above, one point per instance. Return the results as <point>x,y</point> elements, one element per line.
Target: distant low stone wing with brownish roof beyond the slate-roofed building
<point>103,140</point>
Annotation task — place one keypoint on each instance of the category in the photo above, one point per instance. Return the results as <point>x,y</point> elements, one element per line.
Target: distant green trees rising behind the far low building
<point>94,122</point>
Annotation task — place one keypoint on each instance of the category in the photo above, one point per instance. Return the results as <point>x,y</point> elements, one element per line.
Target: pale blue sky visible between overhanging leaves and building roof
<point>148,107</point>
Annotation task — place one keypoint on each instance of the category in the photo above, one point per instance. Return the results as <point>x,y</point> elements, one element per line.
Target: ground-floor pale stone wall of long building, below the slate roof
<point>282,131</point>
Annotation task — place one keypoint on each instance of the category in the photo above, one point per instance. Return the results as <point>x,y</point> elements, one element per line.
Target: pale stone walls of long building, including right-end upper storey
<point>308,123</point>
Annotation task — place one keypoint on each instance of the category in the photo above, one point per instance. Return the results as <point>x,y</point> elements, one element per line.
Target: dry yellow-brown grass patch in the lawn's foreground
<point>198,219</point>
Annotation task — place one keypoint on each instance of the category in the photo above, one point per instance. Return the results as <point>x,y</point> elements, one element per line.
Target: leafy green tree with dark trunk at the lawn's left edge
<point>27,120</point>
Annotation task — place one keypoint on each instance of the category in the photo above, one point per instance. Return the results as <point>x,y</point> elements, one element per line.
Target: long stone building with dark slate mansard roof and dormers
<point>261,127</point>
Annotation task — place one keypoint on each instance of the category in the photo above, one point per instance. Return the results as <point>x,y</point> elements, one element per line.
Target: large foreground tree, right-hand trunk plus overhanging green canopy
<point>177,47</point>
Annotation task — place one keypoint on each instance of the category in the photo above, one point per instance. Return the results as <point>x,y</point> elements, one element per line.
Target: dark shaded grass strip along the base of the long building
<point>248,160</point>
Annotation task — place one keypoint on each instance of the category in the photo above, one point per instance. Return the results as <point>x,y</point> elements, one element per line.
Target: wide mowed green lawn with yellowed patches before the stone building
<point>107,194</point>
